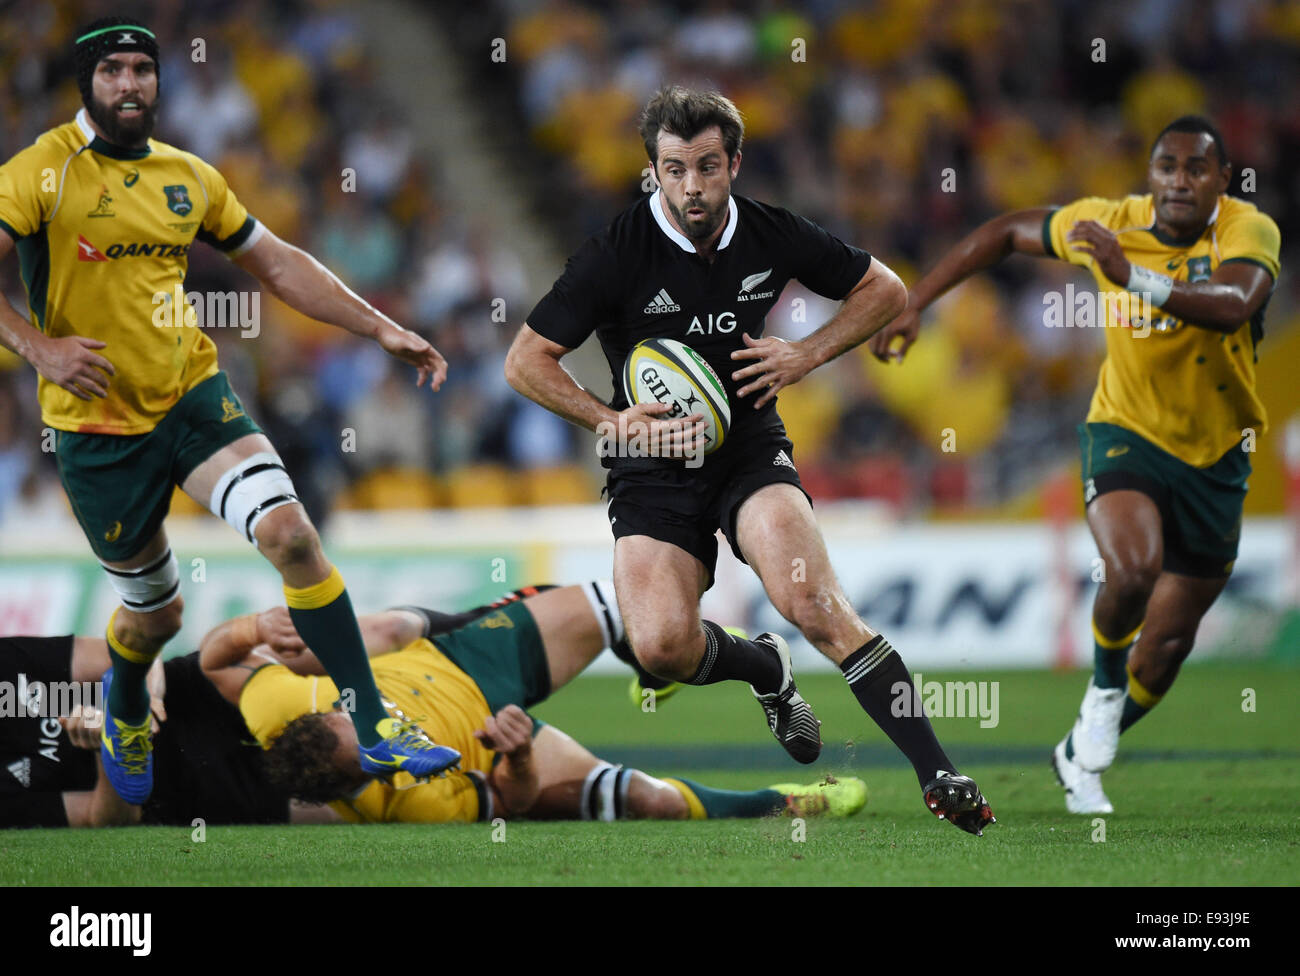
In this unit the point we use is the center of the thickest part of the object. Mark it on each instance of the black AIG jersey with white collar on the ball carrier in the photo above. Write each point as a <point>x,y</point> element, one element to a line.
<point>642,279</point>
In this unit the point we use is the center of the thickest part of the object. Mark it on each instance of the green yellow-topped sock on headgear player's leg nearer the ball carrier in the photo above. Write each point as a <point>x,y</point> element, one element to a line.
<point>331,630</point>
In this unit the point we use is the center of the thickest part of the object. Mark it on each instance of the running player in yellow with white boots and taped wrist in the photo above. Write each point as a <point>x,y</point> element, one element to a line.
<point>1164,456</point>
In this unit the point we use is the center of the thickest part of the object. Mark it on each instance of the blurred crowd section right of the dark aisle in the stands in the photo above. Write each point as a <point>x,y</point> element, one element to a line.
<point>902,125</point>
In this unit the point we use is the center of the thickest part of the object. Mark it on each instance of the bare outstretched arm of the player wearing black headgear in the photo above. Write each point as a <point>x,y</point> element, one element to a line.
<point>302,283</point>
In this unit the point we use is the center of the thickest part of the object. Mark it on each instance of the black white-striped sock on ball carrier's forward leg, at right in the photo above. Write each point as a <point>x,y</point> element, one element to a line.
<point>874,674</point>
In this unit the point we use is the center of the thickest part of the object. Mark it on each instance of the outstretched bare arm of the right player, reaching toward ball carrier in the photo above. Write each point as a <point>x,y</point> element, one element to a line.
<point>1012,233</point>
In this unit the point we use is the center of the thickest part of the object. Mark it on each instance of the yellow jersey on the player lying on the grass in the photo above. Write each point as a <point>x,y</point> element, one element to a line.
<point>419,683</point>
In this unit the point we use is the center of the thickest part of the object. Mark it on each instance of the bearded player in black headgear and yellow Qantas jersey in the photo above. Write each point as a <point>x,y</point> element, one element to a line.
<point>103,219</point>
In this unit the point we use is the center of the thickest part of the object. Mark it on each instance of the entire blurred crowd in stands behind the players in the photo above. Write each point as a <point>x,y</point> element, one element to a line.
<point>899,125</point>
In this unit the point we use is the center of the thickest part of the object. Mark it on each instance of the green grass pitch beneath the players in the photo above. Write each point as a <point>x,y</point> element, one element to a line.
<point>1204,791</point>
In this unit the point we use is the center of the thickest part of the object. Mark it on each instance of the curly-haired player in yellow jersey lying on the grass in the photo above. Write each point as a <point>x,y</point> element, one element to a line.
<point>469,688</point>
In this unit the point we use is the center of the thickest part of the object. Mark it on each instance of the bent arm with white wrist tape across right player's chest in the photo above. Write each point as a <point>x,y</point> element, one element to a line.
<point>1234,293</point>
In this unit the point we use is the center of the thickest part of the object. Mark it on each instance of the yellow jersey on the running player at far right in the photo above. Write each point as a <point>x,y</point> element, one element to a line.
<point>1186,389</point>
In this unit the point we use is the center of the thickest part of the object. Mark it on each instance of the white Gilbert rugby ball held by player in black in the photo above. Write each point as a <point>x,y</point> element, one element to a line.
<point>668,371</point>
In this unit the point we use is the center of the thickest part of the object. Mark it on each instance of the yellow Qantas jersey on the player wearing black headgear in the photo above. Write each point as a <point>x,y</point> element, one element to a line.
<point>103,235</point>
